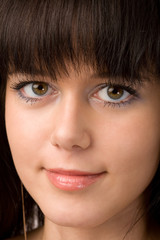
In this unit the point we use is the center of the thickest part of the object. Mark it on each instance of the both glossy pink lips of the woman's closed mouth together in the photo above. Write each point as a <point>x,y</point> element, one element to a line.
<point>71,180</point>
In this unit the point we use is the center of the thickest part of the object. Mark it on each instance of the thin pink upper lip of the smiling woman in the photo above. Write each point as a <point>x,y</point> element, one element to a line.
<point>73,172</point>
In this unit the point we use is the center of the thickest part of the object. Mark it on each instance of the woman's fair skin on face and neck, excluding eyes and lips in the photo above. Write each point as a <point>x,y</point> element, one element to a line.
<point>72,129</point>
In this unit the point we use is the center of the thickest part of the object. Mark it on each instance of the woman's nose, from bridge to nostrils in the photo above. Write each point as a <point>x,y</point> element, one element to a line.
<point>70,131</point>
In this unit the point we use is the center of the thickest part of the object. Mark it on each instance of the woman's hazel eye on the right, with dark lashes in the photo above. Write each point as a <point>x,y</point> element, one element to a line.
<point>114,94</point>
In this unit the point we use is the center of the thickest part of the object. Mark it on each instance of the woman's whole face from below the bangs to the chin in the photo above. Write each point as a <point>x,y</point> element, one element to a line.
<point>84,148</point>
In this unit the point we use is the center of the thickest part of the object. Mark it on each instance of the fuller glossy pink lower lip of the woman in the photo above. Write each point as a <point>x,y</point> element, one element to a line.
<point>72,182</point>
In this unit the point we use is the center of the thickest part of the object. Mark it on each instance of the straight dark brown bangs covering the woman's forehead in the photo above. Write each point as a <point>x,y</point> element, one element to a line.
<point>46,37</point>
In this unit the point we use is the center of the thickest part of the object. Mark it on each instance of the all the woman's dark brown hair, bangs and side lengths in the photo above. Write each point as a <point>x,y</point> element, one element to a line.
<point>120,37</point>
